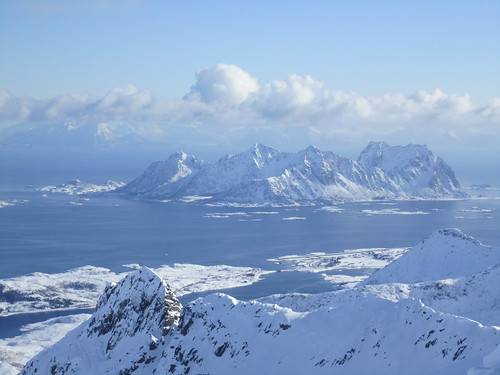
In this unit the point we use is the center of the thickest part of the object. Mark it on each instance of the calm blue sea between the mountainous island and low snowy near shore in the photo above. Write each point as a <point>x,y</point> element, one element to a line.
<point>53,235</point>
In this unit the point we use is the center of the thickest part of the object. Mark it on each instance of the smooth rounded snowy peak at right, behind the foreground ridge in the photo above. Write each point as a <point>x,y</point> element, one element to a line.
<point>445,254</point>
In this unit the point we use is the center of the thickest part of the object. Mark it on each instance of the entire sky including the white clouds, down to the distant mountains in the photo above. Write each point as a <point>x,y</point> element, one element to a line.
<point>226,74</point>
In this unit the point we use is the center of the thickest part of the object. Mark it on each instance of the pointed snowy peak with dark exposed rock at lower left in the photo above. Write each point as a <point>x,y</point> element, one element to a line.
<point>122,336</point>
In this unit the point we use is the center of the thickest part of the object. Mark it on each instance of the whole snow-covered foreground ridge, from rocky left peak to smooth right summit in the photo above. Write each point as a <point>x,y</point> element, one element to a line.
<point>389,325</point>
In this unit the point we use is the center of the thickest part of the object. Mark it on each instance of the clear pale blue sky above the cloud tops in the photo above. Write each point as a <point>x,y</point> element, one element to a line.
<point>372,47</point>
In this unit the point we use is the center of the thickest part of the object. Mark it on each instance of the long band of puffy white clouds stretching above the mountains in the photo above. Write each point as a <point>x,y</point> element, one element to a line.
<point>227,103</point>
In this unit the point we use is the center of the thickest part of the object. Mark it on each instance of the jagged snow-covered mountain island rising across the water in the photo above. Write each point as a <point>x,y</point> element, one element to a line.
<point>263,175</point>
